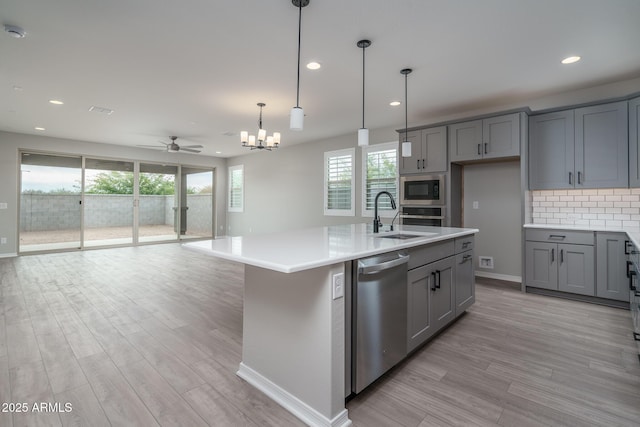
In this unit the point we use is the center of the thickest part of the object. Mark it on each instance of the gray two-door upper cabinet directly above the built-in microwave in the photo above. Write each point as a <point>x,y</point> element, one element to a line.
<point>428,151</point>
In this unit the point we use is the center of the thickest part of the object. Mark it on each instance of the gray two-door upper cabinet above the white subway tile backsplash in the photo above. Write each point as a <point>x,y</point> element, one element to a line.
<point>580,148</point>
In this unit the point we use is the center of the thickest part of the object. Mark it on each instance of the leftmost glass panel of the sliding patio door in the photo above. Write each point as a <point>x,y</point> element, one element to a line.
<point>50,202</point>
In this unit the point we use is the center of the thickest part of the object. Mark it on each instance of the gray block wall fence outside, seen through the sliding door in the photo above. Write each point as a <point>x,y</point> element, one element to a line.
<point>47,212</point>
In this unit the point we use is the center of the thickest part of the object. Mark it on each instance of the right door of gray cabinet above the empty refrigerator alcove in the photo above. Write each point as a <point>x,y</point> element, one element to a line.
<point>501,136</point>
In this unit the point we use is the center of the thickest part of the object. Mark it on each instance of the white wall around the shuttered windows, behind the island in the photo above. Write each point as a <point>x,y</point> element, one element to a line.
<point>284,188</point>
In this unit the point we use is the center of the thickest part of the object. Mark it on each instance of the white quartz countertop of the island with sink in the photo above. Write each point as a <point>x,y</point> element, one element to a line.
<point>298,250</point>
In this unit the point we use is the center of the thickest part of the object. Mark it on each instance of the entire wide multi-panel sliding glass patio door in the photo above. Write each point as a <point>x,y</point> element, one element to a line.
<point>75,202</point>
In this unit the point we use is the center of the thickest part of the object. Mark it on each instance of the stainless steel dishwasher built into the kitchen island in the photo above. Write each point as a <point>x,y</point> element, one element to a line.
<point>379,317</point>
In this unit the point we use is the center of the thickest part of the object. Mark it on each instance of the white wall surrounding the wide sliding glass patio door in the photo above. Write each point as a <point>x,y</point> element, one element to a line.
<point>12,143</point>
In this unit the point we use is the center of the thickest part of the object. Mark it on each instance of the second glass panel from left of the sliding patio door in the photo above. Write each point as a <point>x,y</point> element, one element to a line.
<point>108,202</point>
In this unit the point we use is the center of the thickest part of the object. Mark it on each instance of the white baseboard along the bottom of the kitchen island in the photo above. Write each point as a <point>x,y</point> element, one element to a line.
<point>291,403</point>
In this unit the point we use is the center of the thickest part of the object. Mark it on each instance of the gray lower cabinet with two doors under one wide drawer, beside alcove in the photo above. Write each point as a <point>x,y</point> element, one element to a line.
<point>567,267</point>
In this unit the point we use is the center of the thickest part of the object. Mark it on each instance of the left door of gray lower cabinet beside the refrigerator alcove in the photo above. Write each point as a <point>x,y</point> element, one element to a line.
<point>541,265</point>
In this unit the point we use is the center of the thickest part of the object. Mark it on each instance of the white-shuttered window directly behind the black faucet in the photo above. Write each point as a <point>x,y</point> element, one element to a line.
<point>380,173</point>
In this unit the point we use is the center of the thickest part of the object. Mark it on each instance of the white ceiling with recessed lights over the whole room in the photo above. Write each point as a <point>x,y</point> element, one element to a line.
<point>197,68</point>
